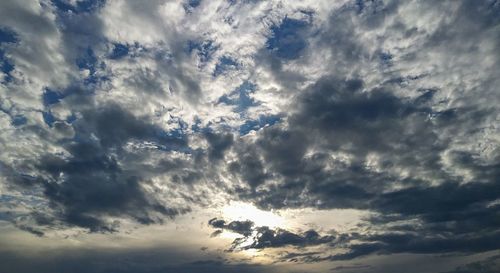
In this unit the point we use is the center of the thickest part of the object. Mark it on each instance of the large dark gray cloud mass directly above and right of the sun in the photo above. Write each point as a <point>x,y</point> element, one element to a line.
<point>337,116</point>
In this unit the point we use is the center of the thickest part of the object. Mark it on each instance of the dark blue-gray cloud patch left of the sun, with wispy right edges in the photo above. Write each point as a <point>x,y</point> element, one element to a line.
<point>90,183</point>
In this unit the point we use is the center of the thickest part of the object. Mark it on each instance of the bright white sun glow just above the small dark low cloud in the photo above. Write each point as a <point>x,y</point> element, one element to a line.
<point>244,211</point>
